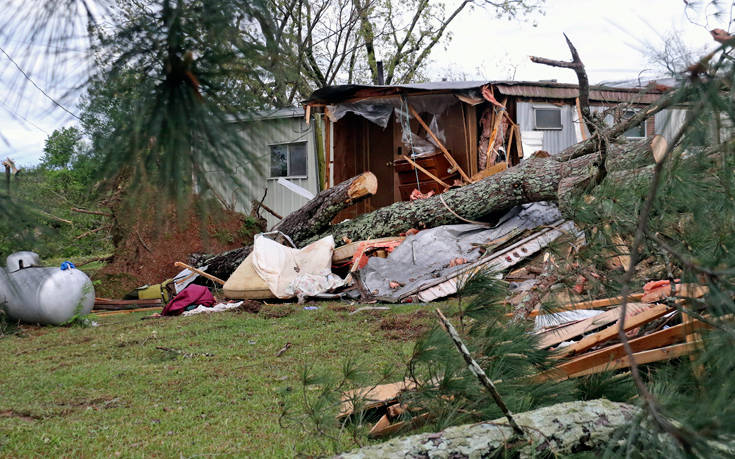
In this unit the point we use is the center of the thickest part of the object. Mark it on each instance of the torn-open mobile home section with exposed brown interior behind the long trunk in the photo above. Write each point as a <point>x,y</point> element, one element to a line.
<point>461,131</point>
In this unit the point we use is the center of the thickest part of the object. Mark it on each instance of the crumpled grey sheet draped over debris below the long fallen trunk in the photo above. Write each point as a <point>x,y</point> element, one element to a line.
<point>423,258</point>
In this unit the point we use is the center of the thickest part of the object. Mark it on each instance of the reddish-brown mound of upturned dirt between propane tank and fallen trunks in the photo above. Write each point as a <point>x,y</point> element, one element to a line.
<point>148,245</point>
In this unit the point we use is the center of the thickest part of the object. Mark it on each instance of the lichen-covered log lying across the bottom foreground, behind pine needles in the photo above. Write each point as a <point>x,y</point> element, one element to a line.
<point>559,430</point>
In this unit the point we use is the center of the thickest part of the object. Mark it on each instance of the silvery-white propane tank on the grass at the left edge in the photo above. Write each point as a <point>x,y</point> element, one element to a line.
<point>34,294</point>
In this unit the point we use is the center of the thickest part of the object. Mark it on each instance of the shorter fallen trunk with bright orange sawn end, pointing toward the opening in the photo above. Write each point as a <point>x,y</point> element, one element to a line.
<point>301,225</point>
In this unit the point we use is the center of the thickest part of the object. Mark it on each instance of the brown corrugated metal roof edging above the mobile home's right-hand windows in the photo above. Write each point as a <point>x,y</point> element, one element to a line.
<point>571,92</point>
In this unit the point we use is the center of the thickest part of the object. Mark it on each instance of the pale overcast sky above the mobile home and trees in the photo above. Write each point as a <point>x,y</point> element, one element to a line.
<point>611,37</point>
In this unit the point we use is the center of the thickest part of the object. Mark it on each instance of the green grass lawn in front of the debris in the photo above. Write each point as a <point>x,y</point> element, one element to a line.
<point>107,391</point>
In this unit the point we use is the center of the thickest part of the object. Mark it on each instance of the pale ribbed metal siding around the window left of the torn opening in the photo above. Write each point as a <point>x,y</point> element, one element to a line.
<point>249,183</point>
